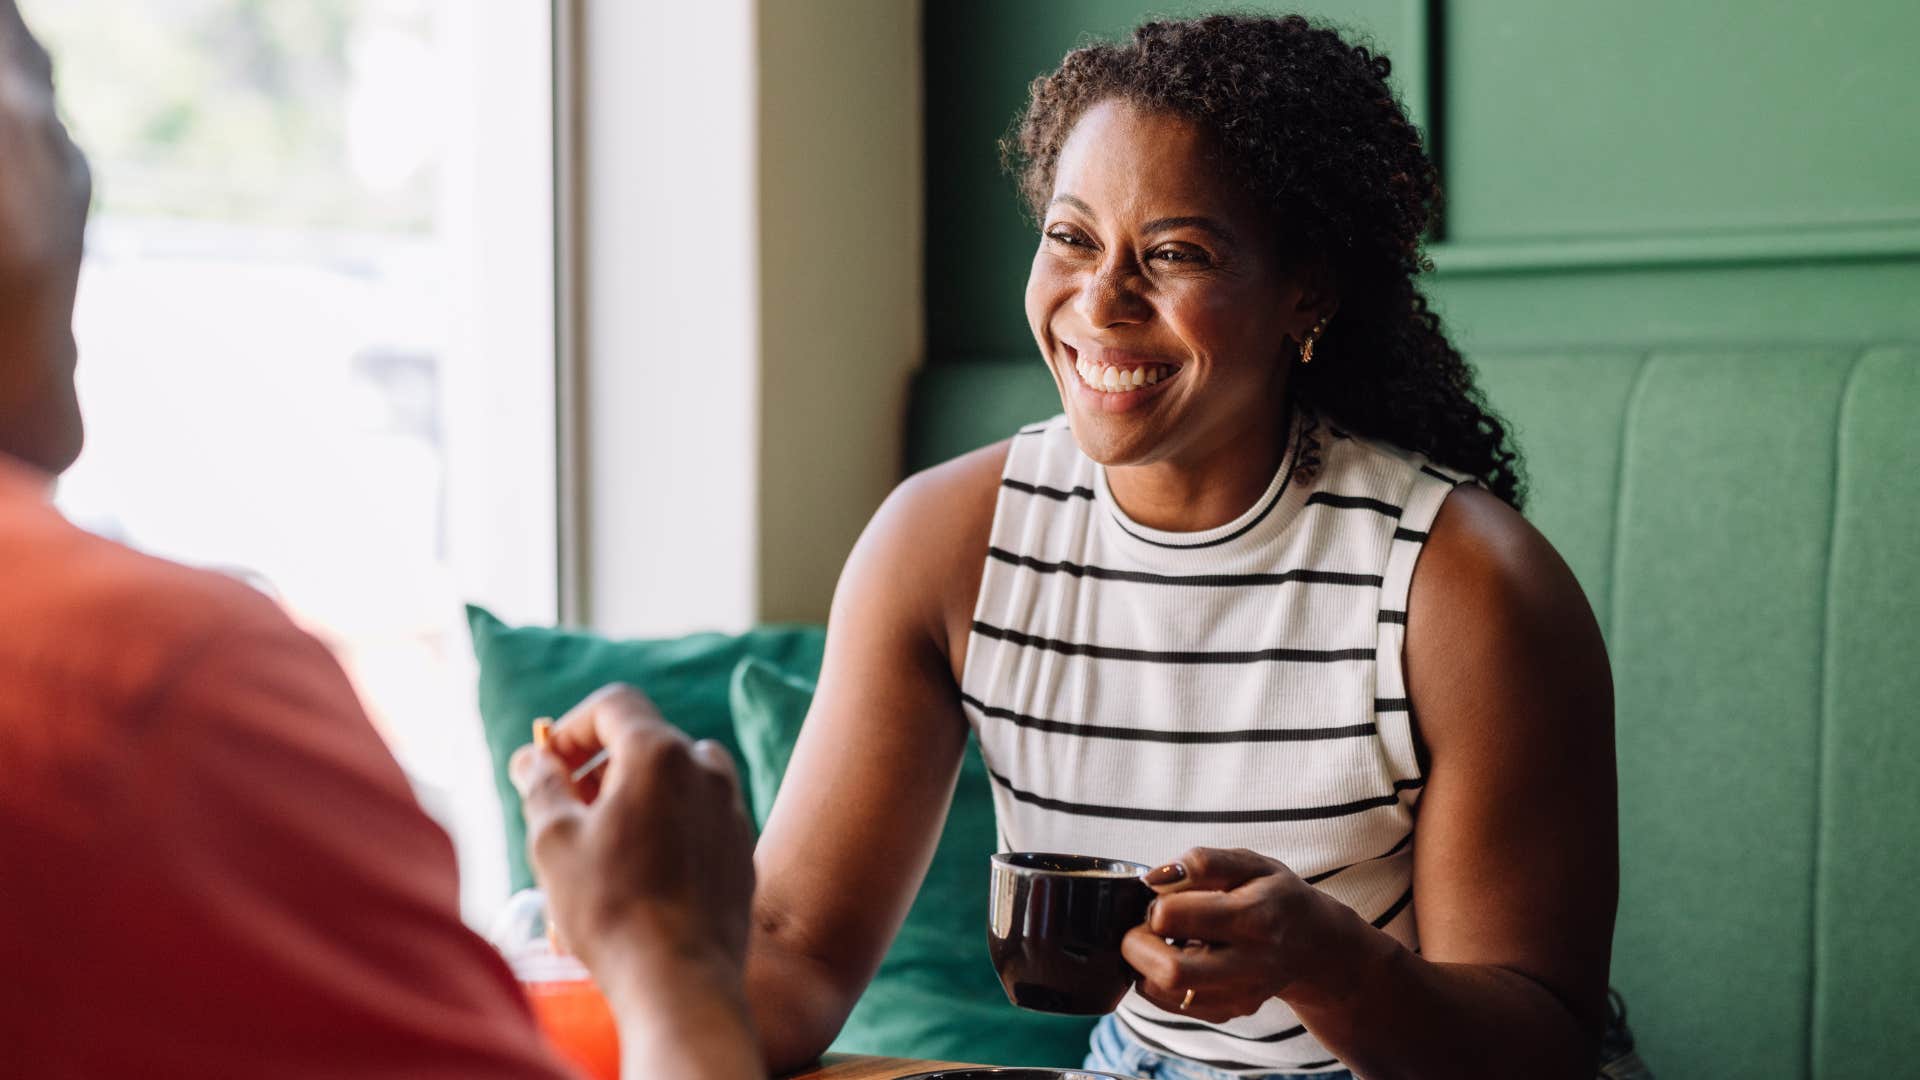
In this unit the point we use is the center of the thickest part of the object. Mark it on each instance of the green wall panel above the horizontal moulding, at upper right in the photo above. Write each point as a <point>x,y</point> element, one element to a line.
<point>1648,116</point>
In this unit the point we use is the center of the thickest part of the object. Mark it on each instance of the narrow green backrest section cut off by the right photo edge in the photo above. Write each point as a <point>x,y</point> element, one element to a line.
<point>1867,946</point>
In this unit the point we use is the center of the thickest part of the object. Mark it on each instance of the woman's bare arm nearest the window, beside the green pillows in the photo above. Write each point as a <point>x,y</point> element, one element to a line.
<point>867,795</point>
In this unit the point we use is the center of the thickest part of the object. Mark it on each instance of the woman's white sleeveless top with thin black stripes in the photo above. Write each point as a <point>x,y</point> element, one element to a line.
<point>1140,693</point>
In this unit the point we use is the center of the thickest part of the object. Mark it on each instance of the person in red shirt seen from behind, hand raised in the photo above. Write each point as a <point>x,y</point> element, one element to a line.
<point>210,866</point>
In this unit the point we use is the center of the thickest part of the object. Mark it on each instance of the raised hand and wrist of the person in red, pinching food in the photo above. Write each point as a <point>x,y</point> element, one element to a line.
<point>648,868</point>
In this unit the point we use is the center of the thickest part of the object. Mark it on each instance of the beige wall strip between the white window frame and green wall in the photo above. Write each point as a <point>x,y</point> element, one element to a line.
<point>840,176</point>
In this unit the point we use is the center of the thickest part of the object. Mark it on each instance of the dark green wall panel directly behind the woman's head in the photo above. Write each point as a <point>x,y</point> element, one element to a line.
<point>982,55</point>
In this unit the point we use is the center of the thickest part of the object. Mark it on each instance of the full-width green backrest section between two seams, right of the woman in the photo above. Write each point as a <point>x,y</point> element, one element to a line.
<point>1717,626</point>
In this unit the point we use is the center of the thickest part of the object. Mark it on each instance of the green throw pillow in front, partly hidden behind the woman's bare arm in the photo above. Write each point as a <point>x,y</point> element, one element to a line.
<point>936,994</point>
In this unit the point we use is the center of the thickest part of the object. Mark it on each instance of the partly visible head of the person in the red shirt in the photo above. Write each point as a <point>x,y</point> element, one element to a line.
<point>43,216</point>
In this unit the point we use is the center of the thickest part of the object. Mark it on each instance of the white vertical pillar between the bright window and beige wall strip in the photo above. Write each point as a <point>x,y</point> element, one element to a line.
<point>665,307</point>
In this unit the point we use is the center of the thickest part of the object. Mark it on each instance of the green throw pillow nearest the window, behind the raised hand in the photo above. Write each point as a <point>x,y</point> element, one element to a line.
<point>539,672</point>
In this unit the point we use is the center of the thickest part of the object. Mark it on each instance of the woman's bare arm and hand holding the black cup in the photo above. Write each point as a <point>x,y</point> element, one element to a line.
<point>1516,862</point>
